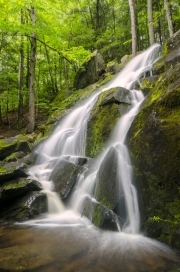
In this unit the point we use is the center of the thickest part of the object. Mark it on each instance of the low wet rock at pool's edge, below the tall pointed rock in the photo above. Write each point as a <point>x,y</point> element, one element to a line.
<point>100,215</point>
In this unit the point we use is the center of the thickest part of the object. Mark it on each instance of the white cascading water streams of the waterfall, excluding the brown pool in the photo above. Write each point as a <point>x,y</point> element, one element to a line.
<point>69,139</point>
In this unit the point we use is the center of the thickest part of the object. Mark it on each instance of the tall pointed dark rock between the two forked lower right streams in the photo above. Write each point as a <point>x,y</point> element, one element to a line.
<point>108,191</point>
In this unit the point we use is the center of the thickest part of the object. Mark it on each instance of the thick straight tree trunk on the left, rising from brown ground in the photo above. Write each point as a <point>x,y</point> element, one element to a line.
<point>31,116</point>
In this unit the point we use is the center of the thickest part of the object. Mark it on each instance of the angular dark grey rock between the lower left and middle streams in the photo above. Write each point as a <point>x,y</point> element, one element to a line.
<point>64,176</point>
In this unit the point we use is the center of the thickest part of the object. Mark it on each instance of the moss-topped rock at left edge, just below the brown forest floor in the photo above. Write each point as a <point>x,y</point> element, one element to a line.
<point>11,145</point>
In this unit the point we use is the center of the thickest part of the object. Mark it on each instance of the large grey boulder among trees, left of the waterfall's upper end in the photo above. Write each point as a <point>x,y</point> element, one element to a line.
<point>90,72</point>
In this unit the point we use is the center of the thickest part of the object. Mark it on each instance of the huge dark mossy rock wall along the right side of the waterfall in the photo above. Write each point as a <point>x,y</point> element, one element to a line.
<point>153,140</point>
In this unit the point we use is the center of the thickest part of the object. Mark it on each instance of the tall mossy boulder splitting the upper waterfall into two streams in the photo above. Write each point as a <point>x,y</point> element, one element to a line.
<point>102,120</point>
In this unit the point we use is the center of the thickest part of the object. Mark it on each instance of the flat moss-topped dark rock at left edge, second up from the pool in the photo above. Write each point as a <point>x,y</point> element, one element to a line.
<point>13,190</point>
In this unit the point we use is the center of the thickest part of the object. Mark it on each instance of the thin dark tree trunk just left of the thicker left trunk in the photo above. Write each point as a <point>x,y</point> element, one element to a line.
<point>21,77</point>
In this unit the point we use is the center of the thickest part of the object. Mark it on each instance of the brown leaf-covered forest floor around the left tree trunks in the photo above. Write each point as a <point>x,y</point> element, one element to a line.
<point>9,127</point>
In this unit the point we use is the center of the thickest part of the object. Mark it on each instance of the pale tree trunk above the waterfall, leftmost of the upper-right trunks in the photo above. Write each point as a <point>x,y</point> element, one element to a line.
<point>133,26</point>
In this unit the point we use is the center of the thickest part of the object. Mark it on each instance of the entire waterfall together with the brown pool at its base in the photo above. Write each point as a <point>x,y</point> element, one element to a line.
<point>64,240</point>
